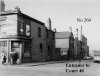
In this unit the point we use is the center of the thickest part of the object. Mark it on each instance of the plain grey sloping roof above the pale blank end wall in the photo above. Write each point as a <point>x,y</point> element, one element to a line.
<point>62,35</point>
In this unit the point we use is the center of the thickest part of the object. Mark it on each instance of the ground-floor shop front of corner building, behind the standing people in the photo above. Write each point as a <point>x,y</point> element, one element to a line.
<point>21,47</point>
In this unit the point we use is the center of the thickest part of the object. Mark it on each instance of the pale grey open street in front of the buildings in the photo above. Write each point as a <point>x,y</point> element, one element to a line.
<point>56,69</point>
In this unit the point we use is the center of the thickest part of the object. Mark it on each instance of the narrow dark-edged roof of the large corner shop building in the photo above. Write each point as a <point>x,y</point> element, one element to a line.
<point>10,12</point>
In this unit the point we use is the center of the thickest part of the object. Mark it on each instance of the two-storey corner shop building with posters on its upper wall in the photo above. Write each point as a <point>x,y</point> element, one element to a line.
<point>25,35</point>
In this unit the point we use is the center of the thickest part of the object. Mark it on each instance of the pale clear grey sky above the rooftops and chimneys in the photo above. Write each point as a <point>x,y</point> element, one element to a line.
<point>64,14</point>
